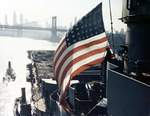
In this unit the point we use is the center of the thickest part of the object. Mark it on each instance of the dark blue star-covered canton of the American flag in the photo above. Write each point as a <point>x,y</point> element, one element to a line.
<point>88,26</point>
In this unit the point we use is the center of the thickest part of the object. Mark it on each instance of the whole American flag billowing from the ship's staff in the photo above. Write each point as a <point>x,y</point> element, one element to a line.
<point>82,47</point>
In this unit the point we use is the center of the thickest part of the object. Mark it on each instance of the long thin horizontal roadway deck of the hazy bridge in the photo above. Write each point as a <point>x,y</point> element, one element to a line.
<point>20,27</point>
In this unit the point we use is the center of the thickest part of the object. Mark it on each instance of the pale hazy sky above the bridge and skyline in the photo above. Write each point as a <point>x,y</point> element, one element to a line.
<point>65,10</point>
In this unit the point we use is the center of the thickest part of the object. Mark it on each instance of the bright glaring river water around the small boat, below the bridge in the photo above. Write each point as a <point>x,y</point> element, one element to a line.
<point>15,50</point>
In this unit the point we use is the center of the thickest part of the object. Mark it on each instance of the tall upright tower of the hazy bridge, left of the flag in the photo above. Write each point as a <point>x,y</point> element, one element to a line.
<point>54,36</point>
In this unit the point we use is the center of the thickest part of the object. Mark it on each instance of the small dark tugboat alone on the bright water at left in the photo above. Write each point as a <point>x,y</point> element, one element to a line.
<point>10,74</point>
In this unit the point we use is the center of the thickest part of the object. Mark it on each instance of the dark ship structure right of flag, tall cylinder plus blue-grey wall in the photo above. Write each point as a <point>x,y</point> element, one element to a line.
<point>128,89</point>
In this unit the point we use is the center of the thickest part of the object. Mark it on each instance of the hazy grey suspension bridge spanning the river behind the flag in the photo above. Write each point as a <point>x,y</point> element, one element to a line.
<point>52,33</point>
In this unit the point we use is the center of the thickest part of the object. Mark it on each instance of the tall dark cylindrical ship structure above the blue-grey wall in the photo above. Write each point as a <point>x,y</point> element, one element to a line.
<point>136,14</point>
